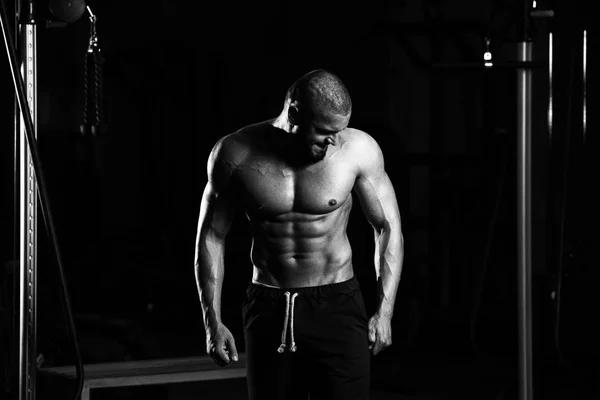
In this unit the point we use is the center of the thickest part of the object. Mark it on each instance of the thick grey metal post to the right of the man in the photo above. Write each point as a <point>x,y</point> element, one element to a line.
<point>524,221</point>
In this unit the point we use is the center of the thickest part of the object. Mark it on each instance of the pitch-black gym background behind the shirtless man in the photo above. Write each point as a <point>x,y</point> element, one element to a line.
<point>179,75</point>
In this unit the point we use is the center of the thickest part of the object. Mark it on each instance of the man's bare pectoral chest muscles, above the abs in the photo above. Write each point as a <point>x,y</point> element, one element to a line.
<point>277,189</point>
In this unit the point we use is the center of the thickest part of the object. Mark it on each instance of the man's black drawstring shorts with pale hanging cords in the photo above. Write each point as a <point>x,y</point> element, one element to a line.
<point>321,347</point>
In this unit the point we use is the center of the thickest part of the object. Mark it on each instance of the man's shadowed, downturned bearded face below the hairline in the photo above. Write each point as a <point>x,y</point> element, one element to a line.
<point>318,129</point>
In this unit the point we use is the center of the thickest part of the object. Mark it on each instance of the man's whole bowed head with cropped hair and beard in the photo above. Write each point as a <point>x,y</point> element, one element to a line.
<point>319,107</point>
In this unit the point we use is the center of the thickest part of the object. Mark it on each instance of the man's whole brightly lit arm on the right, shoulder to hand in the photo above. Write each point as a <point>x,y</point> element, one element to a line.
<point>378,200</point>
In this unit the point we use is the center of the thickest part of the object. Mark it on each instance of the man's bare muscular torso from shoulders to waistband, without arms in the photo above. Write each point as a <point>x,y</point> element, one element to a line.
<point>298,214</point>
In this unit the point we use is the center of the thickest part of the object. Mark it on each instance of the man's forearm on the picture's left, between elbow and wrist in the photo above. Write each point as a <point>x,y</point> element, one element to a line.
<point>209,271</point>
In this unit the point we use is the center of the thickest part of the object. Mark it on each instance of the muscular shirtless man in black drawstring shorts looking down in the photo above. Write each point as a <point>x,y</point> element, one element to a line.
<point>305,323</point>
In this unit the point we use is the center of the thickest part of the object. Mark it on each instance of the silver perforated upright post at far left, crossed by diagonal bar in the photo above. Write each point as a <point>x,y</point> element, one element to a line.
<point>28,223</point>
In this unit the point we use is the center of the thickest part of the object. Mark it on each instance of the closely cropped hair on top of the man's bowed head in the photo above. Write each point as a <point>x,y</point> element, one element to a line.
<point>323,90</point>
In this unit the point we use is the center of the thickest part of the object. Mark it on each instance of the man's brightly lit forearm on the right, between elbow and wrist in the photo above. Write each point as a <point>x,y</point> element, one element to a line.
<point>389,257</point>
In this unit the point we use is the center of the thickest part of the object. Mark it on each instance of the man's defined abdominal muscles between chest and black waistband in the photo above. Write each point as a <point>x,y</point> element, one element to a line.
<point>299,250</point>
